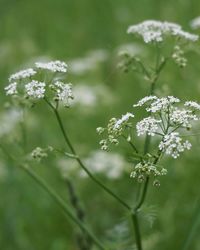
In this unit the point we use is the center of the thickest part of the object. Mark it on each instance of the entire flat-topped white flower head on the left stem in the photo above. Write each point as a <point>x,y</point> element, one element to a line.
<point>35,89</point>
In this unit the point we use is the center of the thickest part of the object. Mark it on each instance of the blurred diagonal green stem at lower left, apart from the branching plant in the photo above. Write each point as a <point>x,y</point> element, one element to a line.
<point>63,205</point>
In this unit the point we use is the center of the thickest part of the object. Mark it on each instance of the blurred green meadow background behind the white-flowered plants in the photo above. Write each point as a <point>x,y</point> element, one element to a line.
<point>67,30</point>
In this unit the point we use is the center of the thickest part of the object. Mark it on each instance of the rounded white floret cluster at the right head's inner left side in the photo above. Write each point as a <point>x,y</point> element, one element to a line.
<point>148,125</point>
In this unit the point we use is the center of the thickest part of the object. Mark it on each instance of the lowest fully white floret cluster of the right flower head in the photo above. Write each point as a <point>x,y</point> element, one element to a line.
<point>172,144</point>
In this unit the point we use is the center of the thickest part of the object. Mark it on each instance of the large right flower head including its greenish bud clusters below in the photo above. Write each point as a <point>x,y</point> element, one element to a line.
<point>166,121</point>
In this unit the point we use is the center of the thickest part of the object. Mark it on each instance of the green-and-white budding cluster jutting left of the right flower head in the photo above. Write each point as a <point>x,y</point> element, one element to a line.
<point>114,130</point>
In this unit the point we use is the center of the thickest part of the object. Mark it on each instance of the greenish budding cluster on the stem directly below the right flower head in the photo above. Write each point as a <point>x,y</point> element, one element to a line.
<point>146,168</point>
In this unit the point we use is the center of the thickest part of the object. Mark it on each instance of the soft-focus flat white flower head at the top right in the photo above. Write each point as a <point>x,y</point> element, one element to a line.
<point>155,31</point>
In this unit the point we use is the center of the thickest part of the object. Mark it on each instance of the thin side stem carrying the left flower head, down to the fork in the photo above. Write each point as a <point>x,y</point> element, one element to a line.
<point>68,142</point>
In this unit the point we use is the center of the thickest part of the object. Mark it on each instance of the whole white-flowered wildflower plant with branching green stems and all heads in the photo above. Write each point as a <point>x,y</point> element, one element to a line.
<point>166,122</point>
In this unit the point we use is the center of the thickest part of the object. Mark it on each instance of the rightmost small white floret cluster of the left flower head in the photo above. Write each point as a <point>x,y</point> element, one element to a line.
<point>63,91</point>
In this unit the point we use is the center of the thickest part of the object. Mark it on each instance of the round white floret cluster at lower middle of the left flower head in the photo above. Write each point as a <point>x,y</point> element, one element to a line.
<point>35,89</point>
